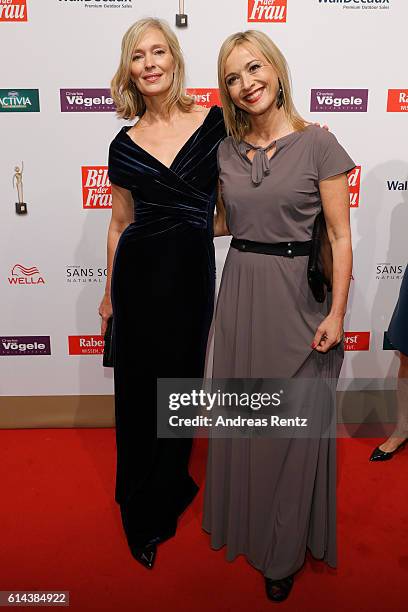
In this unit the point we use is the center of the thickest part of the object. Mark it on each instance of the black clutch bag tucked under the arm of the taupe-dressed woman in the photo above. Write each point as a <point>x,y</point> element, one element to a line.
<point>320,265</point>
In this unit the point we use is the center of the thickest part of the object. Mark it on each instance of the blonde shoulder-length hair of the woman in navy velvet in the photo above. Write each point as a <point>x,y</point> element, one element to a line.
<point>128,99</point>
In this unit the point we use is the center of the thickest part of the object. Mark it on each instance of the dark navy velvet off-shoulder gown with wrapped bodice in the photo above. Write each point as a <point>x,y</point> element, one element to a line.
<point>163,284</point>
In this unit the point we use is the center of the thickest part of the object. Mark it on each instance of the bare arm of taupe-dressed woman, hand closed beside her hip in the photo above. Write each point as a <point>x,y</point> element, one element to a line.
<point>334,192</point>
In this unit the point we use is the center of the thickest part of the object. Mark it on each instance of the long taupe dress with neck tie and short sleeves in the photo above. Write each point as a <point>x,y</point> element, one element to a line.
<point>270,499</point>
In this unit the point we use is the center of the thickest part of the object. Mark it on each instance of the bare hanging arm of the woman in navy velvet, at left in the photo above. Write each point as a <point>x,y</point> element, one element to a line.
<point>122,215</point>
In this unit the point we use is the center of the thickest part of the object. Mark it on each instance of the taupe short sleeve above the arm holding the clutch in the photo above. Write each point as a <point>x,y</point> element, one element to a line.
<point>331,158</point>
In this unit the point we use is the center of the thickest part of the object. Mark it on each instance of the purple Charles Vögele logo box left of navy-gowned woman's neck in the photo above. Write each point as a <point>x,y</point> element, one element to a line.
<point>86,101</point>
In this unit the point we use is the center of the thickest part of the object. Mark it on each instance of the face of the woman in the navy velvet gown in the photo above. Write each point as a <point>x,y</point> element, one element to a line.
<point>152,64</point>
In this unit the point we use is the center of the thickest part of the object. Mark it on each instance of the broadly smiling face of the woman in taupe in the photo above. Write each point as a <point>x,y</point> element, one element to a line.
<point>251,81</point>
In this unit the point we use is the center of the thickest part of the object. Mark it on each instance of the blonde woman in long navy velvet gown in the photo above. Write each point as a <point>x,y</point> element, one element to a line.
<point>161,283</point>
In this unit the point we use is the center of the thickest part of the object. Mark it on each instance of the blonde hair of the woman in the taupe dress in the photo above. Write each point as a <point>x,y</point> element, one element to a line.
<point>236,119</point>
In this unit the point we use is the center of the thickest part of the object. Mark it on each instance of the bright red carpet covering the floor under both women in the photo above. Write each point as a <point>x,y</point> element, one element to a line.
<point>61,530</point>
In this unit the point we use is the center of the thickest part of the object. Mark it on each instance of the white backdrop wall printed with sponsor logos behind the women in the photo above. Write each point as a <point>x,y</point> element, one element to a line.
<point>74,45</point>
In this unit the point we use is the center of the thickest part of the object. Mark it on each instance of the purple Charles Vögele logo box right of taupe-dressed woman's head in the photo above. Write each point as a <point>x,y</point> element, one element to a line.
<point>339,100</point>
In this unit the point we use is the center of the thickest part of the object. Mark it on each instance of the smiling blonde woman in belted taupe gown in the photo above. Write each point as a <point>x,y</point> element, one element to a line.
<point>270,499</point>
